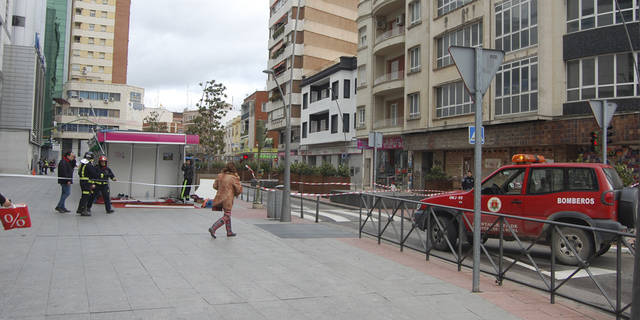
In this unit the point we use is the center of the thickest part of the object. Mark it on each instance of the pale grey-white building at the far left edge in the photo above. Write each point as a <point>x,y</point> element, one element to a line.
<point>22,85</point>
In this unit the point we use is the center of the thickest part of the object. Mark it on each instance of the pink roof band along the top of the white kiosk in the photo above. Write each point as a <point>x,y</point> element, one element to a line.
<point>147,137</point>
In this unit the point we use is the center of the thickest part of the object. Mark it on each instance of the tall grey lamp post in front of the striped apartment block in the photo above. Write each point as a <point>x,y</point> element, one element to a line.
<point>286,200</point>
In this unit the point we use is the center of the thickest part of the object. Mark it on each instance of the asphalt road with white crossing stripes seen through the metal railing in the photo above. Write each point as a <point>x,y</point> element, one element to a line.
<point>581,285</point>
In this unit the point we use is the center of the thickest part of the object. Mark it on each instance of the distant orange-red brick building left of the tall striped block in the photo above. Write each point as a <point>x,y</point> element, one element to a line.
<point>252,113</point>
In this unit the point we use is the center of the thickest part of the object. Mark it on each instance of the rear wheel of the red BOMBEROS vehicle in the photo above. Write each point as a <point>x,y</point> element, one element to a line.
<point>579,239</point>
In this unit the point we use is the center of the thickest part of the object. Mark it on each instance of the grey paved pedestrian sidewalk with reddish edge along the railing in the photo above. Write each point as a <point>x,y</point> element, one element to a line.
<point>162,264</point>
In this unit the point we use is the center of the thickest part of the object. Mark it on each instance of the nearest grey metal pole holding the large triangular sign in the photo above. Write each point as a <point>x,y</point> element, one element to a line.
<point>477,180</point>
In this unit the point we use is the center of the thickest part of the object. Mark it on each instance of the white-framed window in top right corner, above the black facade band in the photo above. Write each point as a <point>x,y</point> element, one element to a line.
<point>588,14</point>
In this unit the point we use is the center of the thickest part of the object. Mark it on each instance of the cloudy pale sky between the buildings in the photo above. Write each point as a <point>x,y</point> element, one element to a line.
<point>173,47</point>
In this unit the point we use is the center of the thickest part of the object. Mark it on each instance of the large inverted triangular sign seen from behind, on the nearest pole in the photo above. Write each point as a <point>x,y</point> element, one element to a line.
<point>465,60</point>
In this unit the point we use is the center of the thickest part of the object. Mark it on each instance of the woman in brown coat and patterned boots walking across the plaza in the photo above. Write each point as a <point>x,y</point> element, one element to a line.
<point>229,187</point>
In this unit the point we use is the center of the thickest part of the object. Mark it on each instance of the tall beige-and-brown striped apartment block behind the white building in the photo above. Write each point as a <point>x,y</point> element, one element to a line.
<point>324,31</point>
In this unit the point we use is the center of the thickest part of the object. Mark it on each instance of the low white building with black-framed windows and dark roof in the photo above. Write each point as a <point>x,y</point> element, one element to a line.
<point>328,116</point>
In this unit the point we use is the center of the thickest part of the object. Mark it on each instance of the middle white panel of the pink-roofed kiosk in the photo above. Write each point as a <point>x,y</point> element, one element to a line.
<point>144,163</point>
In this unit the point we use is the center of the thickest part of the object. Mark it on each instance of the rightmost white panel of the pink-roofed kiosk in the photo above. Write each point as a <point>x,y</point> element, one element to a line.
<point>168,171</point>
